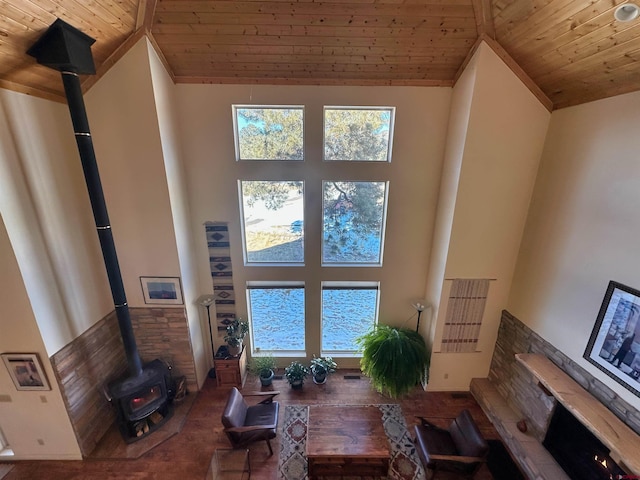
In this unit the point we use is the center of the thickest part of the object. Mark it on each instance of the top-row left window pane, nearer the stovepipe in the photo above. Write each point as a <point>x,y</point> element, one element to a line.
<point>269,133</point>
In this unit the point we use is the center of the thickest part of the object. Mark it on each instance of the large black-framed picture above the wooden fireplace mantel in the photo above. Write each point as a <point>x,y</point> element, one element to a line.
<point>614,345</point>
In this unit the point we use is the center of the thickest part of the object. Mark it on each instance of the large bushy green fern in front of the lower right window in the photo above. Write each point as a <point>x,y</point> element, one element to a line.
<point>395,359</point>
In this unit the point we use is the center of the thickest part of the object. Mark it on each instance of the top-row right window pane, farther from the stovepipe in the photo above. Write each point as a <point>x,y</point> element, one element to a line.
<point>358,134</point>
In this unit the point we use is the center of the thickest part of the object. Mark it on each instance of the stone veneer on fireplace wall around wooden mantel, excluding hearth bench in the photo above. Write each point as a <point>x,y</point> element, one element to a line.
<point>521,390</point>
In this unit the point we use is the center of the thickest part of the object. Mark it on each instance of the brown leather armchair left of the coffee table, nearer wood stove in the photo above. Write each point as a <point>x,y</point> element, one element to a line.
<point>246,424</point>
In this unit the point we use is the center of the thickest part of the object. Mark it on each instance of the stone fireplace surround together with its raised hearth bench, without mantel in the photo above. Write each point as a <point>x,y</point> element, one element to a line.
<point>511,393</point>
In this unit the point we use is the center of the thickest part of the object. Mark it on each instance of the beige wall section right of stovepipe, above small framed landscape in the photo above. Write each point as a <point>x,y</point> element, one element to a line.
<point>124,127</point>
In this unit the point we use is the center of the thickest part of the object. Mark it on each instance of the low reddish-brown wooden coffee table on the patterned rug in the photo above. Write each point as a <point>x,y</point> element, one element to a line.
<point>346,440</point>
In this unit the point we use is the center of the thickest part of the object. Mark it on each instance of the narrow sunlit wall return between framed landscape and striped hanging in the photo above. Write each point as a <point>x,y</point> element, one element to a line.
<point>164,93</point>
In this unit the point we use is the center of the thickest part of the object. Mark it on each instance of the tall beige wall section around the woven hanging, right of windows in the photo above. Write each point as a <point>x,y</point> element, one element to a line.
<point>502,147</point>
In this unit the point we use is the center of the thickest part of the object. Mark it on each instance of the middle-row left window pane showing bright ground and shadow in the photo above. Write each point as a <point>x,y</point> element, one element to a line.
<point>273,221</point>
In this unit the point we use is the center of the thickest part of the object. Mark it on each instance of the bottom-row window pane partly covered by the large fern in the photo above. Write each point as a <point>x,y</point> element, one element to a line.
<point>349,310</point>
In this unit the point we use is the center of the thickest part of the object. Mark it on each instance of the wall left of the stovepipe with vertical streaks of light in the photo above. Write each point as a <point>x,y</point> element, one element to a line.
<point>45,205</point>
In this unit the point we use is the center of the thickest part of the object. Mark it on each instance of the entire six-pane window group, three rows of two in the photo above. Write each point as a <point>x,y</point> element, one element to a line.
<point>340,183</point>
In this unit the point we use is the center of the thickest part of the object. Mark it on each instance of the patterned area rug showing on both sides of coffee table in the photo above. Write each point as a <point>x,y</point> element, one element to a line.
<point>292,464</point>
